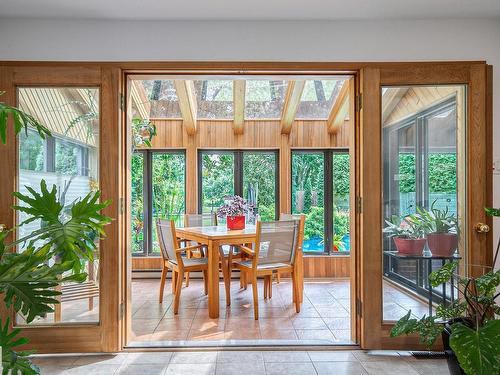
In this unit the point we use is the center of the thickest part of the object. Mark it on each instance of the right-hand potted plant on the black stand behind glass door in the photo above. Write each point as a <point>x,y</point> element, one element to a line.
<point>441,228</point>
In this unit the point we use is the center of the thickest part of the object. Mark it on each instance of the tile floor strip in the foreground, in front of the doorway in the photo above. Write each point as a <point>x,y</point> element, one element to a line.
<point>244,363</point>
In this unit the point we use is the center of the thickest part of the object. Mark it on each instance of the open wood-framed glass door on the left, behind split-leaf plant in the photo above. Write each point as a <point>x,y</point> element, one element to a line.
<point>77,109</point>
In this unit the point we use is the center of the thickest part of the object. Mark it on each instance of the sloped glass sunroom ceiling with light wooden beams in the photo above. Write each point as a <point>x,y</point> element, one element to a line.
<point>240,100</point>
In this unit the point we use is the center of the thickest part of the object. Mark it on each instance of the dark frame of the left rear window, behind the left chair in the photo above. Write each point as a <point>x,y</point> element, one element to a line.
<point>147,198</point>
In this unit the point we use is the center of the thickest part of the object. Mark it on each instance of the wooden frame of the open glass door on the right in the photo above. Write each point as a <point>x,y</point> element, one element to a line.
<point>477,77</point>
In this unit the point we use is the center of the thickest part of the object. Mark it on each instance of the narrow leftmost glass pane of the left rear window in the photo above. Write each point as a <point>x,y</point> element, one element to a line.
<point>137,201</point>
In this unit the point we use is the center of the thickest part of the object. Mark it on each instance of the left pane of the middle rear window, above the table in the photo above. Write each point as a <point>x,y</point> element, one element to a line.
<point>217,179</point>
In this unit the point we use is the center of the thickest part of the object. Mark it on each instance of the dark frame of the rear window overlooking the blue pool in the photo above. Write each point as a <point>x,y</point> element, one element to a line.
<point>328,194</point>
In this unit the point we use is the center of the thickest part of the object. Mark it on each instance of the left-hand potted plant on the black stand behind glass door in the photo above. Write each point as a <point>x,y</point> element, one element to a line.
<point>407,234</point>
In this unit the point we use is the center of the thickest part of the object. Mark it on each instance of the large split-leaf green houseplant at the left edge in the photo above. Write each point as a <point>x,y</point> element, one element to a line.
<point>51,255</point>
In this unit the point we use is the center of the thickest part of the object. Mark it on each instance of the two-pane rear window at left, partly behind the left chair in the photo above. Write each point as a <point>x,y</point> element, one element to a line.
<point>158,192</point>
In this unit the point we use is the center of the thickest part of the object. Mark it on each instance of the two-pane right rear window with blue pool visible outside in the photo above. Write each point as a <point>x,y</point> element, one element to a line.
<point>320,190</point>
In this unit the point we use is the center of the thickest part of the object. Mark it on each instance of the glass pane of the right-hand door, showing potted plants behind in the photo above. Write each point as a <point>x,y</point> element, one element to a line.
<point>421,150</point>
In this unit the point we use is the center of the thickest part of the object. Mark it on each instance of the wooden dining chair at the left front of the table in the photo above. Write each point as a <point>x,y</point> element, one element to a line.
<point>171,252</point>
